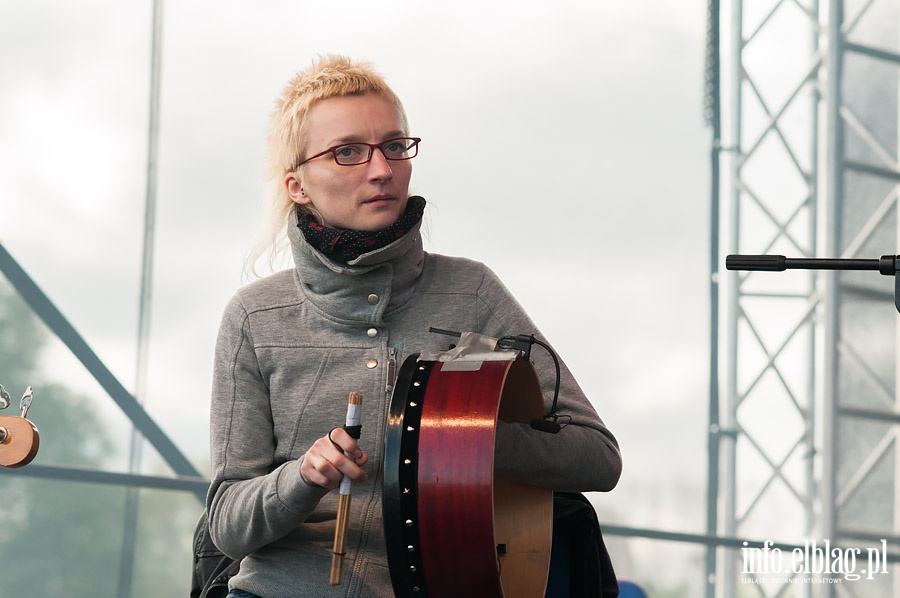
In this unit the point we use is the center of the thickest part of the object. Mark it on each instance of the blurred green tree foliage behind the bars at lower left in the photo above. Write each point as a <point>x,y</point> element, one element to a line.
<point>64,538</point>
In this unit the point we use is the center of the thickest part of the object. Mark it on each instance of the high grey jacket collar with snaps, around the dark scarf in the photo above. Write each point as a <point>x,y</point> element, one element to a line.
<point>345,292</point>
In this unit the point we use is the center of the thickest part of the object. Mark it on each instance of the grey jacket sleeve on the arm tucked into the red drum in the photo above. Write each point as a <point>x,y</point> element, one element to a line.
<point>584,455</point>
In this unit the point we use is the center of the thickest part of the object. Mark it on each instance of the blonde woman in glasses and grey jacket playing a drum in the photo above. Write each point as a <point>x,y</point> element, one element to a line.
<point>361,297</point>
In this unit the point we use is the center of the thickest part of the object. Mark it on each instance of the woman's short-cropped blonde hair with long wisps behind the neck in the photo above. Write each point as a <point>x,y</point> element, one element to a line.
<point>328,76</point>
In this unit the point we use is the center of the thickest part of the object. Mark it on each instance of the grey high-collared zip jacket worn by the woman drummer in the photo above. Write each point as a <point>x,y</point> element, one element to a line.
<point>290,349</point>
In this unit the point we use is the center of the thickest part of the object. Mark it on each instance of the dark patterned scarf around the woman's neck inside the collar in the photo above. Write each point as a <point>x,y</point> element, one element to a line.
<point>346,245</point>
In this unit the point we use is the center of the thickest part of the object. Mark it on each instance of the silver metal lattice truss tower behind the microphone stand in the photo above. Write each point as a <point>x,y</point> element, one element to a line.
<point>804,434</point>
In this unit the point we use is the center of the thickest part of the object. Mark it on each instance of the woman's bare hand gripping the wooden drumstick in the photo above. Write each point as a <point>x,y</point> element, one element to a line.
<point>324,464</point>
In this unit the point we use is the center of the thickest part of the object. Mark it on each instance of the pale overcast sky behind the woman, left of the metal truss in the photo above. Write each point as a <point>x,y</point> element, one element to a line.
<point>563,144</point>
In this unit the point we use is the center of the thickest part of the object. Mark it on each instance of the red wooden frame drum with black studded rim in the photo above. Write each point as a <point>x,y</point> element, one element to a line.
<point>452,527</point>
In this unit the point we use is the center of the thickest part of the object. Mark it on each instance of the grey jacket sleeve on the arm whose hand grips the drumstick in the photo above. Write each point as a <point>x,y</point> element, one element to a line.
<point>252,501</point>
